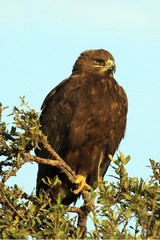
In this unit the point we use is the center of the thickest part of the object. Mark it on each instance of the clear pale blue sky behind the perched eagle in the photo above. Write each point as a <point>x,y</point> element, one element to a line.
<point>41,39</point>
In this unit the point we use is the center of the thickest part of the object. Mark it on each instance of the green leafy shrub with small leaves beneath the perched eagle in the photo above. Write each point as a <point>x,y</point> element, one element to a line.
<point>127,208</point>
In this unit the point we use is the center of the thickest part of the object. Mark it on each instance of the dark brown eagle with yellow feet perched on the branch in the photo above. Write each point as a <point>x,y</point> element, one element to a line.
<point>84,118</point>
